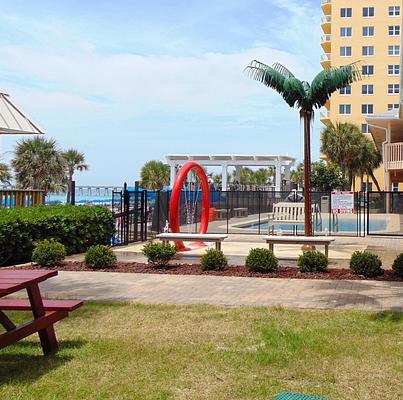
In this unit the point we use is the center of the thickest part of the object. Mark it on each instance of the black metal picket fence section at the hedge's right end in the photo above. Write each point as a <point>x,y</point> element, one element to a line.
<point>130,212</point>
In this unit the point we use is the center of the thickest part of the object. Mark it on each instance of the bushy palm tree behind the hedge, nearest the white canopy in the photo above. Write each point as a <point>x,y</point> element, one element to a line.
<point>38,164</point>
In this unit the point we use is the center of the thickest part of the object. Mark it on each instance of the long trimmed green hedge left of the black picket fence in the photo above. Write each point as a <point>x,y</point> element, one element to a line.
<point>76,227</point>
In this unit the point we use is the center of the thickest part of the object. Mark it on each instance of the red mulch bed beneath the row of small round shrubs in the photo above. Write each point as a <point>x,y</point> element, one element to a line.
<point>231,270</point>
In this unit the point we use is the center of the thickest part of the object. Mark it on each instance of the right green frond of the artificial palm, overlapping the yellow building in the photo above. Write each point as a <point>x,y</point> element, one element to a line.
<point>331,79</point>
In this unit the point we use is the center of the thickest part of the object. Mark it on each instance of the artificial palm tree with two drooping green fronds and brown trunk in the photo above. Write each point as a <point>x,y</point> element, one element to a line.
<point>306,97</point>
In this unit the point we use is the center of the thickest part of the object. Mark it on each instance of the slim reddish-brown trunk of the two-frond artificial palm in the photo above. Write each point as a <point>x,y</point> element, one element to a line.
<point>307,117</point>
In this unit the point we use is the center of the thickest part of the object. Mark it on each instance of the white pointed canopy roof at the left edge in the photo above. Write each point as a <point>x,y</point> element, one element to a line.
<point>13,121</point>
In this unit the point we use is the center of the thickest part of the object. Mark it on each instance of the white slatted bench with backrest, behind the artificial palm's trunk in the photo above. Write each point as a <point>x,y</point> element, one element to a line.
<point>288,213</point>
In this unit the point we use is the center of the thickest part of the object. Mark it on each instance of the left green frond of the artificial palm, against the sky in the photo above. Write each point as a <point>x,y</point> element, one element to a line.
<point>283,82</point>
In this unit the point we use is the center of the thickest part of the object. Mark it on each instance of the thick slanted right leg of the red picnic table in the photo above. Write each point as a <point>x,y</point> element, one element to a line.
<point>47,336</point>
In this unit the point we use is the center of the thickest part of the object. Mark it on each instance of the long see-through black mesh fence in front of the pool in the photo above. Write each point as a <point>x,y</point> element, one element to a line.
<point>246,212</point>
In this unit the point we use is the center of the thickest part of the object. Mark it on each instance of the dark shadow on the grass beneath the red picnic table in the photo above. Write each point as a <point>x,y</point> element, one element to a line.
<point>21,365</point>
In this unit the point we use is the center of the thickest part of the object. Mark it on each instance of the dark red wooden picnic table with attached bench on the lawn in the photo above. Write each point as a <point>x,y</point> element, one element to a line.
<point>45,312</point>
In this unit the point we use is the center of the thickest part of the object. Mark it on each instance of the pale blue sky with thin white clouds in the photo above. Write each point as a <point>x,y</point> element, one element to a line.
<point>127,81</point>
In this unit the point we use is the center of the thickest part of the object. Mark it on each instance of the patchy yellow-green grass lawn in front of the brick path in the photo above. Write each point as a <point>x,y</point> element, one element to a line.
<point>131,351</point>
